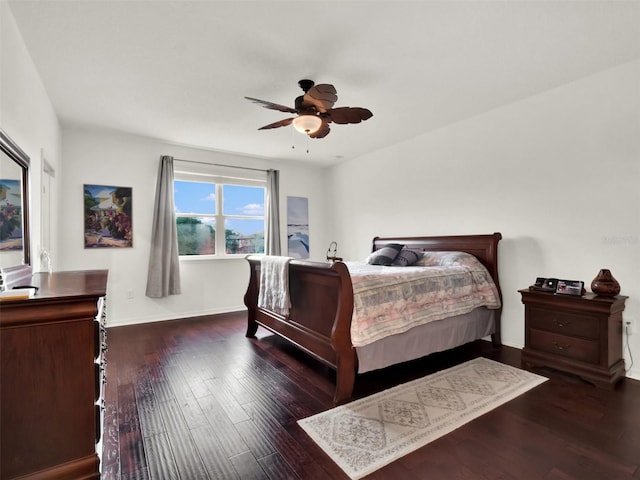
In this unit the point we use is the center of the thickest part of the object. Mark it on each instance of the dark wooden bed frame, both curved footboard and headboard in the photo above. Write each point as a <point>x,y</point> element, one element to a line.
<point>321,294</point>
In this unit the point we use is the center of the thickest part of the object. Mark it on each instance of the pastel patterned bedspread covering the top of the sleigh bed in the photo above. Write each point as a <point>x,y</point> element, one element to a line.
<point>391,300</point>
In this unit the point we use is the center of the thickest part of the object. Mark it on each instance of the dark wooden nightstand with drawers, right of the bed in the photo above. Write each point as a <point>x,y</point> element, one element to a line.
<point>579,335</point>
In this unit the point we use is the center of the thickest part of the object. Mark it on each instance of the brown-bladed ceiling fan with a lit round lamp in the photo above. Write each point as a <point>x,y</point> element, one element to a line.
<point>315,110</point>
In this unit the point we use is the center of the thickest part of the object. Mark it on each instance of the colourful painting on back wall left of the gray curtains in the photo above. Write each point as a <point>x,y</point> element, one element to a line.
<point>107,217</point>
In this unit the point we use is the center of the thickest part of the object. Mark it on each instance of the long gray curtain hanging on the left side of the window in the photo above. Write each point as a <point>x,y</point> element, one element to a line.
<point>163,278</point>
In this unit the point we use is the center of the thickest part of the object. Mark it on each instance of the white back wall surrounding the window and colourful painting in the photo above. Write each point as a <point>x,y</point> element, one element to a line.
<point>213,286</point>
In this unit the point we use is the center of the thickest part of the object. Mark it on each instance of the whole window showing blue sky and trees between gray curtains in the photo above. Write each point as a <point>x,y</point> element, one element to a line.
<point>207,205</point>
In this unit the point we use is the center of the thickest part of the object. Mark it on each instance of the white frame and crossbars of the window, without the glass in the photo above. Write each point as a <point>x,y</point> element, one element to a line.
<point>220,181</point>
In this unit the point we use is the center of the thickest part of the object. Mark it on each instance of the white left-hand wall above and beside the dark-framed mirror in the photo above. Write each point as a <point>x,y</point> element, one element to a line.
<point>28,117</point>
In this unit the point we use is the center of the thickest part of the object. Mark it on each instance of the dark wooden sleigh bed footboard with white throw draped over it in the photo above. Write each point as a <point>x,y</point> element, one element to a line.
<point>319,320</point>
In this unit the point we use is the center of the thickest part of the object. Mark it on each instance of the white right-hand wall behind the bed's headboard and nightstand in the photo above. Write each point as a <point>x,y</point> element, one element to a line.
<point>557,174</point>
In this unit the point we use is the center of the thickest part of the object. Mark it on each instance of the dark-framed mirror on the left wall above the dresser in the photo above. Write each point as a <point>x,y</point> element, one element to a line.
<point>14,204</point>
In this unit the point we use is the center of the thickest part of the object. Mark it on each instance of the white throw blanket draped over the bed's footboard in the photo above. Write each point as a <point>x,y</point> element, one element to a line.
<point>274,284</point>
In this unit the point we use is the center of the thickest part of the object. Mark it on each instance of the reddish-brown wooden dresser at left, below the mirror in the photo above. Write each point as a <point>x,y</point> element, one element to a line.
<point>52,378</point>
